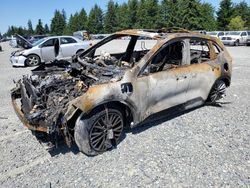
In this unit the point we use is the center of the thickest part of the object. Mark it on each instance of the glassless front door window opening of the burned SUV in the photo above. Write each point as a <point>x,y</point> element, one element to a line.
<point>170,56</point>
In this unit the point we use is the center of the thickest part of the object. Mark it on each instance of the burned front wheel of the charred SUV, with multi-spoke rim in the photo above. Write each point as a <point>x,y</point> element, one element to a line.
<point>98,133</point>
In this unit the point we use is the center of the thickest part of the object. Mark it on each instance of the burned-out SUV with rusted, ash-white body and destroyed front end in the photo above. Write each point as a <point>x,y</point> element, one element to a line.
<point>120,81</point>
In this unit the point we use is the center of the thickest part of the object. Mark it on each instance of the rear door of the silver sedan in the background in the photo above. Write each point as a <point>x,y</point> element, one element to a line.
<point>68,46</point>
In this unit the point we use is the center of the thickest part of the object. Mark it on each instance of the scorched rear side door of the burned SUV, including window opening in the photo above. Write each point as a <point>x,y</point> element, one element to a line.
<point>202,69</point>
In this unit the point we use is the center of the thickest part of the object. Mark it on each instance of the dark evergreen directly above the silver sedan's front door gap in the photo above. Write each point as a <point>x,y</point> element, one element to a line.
<point>58,23</point>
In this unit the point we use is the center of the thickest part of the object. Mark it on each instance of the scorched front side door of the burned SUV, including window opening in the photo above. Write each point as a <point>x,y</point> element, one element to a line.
<point>167,78</point>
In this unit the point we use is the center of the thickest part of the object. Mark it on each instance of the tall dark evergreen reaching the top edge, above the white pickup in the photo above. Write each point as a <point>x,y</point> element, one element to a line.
<point>224,14</point>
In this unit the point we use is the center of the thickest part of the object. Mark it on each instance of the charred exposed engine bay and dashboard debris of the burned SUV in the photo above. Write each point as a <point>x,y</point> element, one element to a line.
<point>46,93</point>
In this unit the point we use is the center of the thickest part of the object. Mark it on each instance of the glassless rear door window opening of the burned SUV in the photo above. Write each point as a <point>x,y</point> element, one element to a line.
<point>199,51</point>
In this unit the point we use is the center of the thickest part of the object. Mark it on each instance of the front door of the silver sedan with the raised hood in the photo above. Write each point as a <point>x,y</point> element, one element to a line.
<point>47,49</point>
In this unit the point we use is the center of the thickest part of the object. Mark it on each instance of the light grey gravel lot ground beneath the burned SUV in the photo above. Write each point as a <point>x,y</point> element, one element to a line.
<point>208,146</point>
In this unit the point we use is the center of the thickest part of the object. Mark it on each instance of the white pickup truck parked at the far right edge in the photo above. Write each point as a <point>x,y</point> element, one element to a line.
<point>236,38</point>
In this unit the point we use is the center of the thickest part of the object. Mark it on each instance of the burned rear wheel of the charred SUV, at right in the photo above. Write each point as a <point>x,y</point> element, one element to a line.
<point>217,92</point>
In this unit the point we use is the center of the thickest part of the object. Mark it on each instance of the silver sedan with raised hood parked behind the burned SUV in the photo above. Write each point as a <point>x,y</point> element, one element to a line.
<point>43,50</point>
